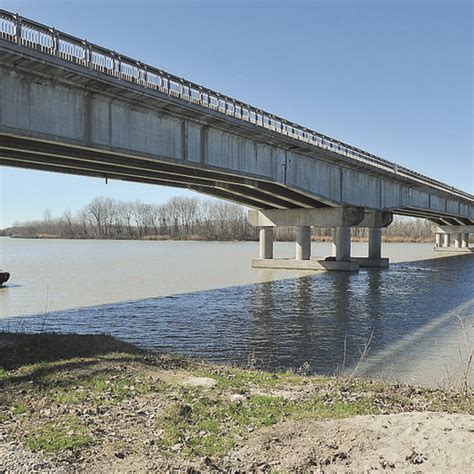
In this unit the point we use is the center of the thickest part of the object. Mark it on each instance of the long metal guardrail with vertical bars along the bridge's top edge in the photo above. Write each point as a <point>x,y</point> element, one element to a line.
<point>31,34</point>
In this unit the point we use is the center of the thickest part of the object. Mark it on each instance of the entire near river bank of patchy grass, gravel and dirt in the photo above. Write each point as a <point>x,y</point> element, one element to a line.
<point>95,403</point>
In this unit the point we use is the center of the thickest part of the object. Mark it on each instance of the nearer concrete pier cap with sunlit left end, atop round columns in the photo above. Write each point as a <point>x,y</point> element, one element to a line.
<point>323,217</point>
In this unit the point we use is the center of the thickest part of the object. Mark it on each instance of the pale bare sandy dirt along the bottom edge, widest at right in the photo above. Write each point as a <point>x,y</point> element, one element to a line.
<point>405,442</point>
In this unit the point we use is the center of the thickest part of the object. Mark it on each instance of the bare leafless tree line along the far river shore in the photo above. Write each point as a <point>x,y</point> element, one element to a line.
<point>180,218</point>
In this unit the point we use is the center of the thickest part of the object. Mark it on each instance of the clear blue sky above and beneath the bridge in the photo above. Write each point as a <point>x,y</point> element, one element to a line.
<point>393,77</point>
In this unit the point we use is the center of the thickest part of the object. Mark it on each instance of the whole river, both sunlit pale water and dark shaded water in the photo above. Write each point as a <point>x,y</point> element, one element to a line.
<point>203,299</point>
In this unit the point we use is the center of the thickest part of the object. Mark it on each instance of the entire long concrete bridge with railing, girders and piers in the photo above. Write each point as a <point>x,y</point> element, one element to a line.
<point>71,106</point>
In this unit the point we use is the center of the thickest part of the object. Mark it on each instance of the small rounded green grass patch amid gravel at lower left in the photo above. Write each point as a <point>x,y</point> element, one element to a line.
<point>64,433</point>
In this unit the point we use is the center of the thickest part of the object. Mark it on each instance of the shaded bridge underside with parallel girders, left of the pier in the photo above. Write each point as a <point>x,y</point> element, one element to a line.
<point>22,152</point>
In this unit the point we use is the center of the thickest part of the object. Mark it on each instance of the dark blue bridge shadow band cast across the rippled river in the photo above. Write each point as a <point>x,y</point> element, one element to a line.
<point>323,319</point>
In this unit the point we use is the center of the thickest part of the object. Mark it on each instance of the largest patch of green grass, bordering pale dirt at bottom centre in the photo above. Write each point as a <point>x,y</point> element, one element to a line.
<point>205,426</point>
